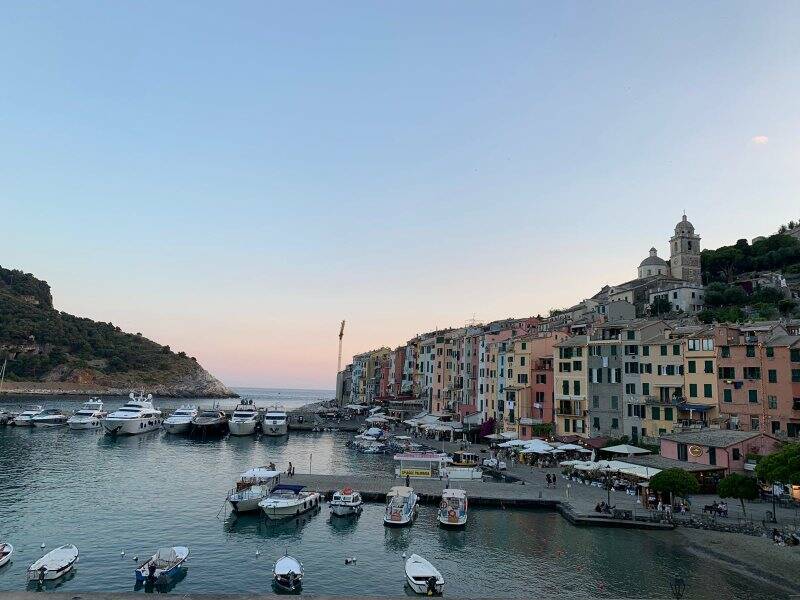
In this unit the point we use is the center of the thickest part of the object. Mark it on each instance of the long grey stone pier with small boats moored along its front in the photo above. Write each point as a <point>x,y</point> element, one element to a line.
<point>480,493</point>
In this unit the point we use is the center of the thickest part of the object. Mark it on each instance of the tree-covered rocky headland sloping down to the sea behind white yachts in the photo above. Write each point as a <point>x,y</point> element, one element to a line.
<point>51,350</point>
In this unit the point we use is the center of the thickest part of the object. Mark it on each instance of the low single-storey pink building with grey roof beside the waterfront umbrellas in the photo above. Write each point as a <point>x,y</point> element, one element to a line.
<point>722,448</point>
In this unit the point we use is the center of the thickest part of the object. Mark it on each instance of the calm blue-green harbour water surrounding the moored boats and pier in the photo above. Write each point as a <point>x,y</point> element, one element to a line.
<point>107,495</point>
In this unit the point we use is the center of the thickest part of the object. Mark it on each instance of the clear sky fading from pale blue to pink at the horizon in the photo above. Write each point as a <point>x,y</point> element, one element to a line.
<point>235,178</point>
